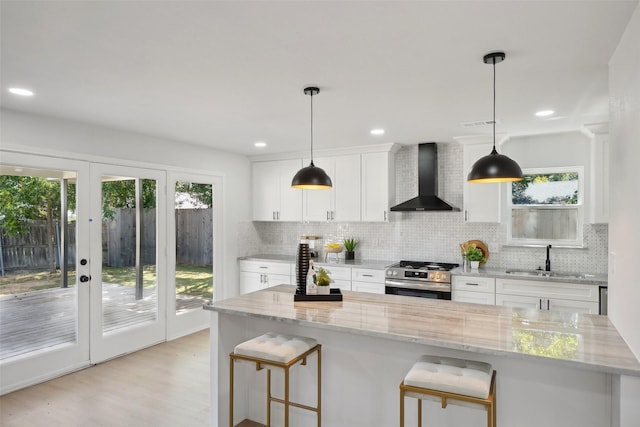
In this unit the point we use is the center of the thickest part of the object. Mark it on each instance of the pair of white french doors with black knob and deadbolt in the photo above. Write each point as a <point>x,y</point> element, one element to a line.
<point>85,280</point>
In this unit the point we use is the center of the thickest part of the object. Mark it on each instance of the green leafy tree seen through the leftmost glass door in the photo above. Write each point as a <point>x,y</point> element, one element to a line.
<point>26,198</point>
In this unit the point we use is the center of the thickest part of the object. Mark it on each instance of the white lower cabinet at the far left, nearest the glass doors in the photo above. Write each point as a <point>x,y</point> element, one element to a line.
<point>256,275</point>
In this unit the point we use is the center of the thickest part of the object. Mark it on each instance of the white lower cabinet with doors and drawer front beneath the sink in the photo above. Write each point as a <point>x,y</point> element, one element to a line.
<point>571,297</point>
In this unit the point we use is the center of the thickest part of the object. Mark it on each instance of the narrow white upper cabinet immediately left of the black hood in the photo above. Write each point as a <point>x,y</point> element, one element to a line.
<point>378,185</point>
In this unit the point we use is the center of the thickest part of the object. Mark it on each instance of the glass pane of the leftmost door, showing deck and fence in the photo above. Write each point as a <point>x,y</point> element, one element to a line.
<point>38,307</point>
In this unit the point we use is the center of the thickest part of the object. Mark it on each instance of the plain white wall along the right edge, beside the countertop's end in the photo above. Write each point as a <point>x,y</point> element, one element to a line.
<point>624,226</point>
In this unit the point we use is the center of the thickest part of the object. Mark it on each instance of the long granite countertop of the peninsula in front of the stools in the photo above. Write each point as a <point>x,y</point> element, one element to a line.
<point>566,339</point>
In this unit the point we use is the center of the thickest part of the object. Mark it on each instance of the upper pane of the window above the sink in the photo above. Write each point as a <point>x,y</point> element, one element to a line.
<point>546,189</point>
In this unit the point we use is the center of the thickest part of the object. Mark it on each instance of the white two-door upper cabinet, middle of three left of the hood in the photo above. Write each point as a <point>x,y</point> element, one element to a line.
<point>340,203</point>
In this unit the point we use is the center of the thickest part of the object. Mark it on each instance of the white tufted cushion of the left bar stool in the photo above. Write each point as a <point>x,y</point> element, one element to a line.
<point>275,347</point>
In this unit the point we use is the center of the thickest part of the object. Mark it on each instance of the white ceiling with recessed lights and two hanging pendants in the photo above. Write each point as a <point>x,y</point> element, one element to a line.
<point>227,74</point>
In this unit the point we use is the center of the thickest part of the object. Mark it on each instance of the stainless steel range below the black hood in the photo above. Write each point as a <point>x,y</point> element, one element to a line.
<point>419,279</point>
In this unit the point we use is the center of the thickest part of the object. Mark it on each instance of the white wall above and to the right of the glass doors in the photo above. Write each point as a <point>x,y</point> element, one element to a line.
<point>40,134</point>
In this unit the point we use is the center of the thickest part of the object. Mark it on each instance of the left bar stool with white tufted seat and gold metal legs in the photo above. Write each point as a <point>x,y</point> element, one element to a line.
<point>273,350</point>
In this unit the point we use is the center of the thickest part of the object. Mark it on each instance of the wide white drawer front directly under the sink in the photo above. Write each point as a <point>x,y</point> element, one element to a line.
<point>569,291</point>
